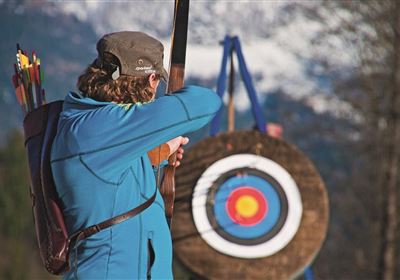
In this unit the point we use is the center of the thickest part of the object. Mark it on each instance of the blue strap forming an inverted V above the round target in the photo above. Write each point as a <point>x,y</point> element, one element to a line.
<point>233,42</point>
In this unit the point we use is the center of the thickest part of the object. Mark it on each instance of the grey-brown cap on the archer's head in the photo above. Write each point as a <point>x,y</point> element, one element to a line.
<point>138,53</point>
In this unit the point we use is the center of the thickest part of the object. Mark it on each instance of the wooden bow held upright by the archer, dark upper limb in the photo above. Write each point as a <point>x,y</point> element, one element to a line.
<point>175,82</point>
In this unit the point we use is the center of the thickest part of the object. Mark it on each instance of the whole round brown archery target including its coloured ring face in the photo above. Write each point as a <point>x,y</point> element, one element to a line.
<point>248,206</point>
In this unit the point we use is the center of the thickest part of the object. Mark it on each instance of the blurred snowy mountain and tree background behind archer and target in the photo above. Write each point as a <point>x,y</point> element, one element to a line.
<point>327,71</point>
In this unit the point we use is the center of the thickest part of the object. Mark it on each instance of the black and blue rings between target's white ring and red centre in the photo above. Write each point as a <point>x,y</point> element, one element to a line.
<point>236,233</point>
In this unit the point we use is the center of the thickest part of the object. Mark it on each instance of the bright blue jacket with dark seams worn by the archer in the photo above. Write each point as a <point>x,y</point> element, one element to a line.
<point>101,169</point>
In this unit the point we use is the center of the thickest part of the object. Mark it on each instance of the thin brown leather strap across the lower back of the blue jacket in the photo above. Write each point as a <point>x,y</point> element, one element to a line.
<point>85,233</point>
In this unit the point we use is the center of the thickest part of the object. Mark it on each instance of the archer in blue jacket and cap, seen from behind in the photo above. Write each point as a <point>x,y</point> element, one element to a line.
<point>99,156</point>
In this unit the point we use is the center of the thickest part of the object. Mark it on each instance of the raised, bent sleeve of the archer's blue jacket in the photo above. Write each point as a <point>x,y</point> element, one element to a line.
<point>112,137</point>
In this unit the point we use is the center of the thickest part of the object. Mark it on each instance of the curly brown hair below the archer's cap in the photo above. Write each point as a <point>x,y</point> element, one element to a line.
<point>97,84</point>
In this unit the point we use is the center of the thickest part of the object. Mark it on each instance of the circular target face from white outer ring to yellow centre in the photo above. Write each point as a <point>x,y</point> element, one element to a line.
<point>246,206</point>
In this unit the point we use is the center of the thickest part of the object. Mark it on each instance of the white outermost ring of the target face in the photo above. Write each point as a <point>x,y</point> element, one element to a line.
<point>268,248</point>
